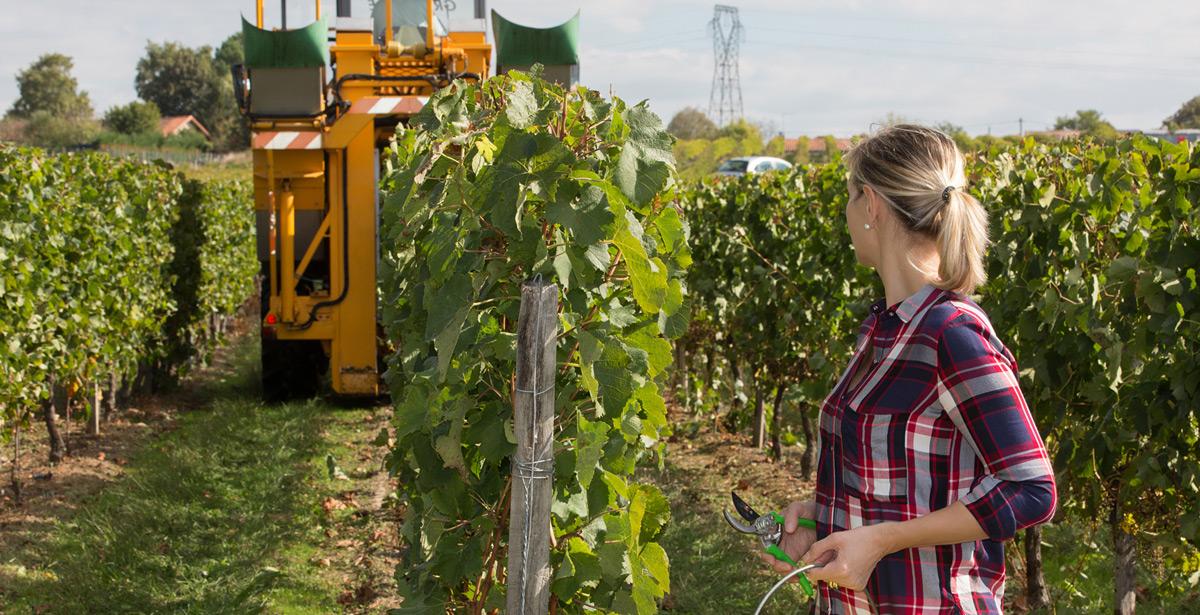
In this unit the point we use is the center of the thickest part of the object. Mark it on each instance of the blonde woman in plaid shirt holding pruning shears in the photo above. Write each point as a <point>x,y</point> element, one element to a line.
<point>929,458</point>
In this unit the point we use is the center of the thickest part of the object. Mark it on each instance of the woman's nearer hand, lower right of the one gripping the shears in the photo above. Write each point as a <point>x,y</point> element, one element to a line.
<point>849,557</point>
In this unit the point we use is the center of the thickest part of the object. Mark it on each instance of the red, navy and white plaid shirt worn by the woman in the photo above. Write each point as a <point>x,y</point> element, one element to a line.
<point>939,417</point>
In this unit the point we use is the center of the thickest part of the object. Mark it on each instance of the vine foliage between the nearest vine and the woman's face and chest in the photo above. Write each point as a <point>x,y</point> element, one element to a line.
<point>777,289</point>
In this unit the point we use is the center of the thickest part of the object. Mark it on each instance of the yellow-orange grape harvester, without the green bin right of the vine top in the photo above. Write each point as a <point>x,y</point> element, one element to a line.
<point>320,115</point>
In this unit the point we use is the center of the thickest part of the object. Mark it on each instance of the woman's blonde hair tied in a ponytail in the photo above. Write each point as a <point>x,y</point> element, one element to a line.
<point>919,172</point>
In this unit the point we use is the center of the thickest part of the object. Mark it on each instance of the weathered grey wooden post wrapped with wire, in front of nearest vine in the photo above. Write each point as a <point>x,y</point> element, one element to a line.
<point>533,465</point>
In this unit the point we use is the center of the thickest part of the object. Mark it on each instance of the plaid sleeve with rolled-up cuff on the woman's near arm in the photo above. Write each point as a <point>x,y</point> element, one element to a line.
<point>980,391</point>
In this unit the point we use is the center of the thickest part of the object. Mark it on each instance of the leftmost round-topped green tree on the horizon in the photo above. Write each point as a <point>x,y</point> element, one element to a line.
<point>49,86</point>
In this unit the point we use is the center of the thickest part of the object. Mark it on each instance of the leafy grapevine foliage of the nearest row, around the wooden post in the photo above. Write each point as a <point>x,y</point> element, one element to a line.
<point>493,186</point>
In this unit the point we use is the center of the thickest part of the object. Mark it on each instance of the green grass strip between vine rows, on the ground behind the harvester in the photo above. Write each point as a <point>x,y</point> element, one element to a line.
<point>220,516</point>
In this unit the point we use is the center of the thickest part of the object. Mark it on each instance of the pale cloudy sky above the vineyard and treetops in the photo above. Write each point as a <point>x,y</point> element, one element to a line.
<point>807,67</point>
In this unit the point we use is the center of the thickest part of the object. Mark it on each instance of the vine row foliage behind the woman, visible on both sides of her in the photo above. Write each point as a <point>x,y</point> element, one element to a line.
<point>1093,285</point>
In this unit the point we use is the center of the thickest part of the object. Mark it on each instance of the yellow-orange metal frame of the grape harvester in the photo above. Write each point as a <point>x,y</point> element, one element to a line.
<point>339,181</point>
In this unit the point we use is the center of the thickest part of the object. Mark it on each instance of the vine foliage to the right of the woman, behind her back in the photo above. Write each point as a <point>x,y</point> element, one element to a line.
<point>1095,286</point>
